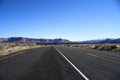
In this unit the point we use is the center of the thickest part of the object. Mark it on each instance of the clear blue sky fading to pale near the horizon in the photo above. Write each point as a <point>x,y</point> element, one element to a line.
<point>75,20</point>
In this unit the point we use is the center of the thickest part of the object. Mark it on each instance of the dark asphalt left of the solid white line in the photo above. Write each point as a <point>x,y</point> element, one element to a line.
<point>38,64</point>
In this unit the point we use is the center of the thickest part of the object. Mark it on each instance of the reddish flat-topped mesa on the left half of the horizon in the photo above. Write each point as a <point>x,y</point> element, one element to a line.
<point>31,40</point>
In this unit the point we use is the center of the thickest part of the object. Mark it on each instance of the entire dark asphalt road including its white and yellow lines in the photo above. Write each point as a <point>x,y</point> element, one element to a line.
<point>47,63</point>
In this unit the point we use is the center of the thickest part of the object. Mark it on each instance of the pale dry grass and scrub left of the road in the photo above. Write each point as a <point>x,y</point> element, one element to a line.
<point>8,48</point>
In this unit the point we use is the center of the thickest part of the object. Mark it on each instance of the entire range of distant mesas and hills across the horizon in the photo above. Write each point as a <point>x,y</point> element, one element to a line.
<point>59,40</point>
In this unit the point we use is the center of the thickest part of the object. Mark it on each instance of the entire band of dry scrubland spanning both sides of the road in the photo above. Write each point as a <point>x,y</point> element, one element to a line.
<point>9,48</point>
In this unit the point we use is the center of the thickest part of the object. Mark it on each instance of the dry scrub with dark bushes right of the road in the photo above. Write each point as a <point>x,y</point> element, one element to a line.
<point>104,47</point>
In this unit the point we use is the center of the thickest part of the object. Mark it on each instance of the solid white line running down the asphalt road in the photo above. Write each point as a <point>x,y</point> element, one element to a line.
<point>72,64</point>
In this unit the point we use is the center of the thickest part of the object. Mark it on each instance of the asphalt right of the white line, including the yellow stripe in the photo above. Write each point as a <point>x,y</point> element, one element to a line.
<point>95,66</point>
